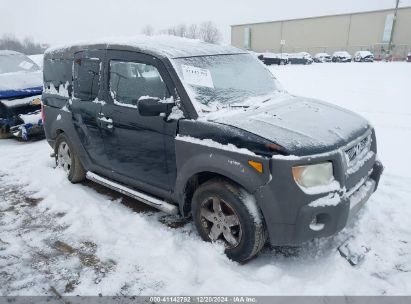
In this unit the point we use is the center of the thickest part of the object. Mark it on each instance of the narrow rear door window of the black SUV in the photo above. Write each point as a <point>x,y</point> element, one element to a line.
<point>86,78</point>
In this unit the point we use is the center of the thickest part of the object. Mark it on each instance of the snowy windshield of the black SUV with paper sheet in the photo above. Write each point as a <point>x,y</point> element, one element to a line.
<point>218,81</point>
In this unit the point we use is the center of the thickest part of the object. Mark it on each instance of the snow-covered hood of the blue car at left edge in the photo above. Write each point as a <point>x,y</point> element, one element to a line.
<point>20,84</point>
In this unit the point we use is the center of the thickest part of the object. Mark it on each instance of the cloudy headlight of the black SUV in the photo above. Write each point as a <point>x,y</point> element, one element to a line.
<point>314,175</point>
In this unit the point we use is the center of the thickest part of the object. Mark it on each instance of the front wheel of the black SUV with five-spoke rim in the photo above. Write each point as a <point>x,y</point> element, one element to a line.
<point>237,215</point>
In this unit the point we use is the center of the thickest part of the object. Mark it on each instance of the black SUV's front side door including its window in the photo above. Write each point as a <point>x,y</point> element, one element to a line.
<point>138,147</point>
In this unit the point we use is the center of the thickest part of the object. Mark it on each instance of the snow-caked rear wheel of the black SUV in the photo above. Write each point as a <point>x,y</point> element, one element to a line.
<point>68,160</point>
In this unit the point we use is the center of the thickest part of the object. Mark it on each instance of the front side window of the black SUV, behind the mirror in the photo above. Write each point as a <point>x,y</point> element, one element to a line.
<point>129,81</point>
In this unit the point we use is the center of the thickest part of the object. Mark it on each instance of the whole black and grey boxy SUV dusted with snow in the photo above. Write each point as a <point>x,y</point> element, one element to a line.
<point>206,131</point>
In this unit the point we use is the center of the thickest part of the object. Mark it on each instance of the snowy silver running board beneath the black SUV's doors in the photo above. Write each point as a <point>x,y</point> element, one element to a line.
<point>145,198</point>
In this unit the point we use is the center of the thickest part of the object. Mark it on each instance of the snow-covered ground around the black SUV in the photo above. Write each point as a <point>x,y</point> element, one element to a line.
<point>56,237</point>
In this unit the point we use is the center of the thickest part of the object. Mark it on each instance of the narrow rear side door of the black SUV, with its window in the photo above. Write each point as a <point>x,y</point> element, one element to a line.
<point>87,71</point>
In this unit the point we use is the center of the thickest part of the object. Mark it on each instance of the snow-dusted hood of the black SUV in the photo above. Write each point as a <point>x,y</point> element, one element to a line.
<point>302,126</point>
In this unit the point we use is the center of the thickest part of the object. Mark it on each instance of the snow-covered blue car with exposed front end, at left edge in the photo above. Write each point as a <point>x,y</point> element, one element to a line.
<point>21,84</point>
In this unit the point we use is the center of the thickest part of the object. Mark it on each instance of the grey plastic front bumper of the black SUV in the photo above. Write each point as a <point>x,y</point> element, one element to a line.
<point>291,215</point>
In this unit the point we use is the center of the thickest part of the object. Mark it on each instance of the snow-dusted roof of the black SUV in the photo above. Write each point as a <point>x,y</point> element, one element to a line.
<point>160,46</point>
